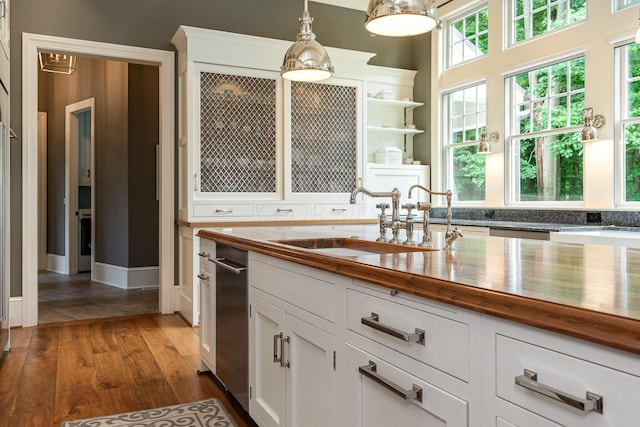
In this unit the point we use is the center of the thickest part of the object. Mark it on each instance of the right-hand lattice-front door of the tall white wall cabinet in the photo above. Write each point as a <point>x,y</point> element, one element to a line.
<point>322,138</point>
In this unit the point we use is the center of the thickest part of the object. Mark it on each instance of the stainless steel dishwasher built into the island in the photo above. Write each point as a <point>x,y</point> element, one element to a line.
<point>232,322</point>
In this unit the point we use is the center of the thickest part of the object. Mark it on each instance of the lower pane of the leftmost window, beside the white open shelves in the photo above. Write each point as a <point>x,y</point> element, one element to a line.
<point>468,174</point>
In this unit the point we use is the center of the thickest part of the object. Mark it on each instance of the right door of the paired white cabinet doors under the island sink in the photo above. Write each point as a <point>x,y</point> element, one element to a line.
<point>311,377</point>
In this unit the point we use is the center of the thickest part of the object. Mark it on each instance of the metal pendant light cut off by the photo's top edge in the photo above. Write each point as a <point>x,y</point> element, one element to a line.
<point>401,18</point>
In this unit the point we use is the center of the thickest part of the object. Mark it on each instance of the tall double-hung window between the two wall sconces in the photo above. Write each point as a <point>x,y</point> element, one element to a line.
<point>547,155</point>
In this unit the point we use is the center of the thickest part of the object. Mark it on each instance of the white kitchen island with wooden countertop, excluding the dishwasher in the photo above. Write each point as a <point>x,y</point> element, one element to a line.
<point>501,324</point>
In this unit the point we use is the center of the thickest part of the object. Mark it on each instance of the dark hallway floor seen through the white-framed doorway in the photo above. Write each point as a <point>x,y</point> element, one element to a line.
<point>64,297</point>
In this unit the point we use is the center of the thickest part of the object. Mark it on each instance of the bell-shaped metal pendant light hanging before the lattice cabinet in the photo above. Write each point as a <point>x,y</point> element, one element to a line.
<point>306,60</point>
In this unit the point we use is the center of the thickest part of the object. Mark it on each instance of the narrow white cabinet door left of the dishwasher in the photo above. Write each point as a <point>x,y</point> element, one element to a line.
<point>207,327</point>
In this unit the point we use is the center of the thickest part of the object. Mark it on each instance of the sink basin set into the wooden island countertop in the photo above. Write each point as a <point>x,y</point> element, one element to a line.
<point>347,246</point>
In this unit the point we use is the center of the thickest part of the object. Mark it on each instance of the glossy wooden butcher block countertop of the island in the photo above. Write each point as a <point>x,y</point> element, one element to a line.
<point>590,292</point>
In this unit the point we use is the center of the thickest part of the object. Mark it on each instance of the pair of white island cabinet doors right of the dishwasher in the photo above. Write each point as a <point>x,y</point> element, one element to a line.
<point>292,380</point>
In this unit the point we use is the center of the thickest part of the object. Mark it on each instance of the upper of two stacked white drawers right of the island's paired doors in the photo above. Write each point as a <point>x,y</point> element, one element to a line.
<point>446,341</point>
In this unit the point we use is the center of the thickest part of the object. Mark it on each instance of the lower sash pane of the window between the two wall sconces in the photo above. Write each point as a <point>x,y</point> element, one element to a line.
<point>550,168</point>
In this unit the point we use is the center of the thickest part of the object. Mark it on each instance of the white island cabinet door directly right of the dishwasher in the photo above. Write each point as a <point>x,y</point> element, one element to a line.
<point>266,373</point>
